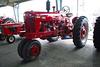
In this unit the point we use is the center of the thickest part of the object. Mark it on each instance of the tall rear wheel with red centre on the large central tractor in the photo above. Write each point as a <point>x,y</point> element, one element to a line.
<point>80,32</point>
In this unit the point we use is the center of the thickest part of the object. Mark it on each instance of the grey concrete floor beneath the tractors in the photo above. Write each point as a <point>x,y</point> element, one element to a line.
<point>58,54</point>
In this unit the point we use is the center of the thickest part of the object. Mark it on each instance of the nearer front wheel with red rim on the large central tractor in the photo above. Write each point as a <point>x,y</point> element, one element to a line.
<point>31,50</point>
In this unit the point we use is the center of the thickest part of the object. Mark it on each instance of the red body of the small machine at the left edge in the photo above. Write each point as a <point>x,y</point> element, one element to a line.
<point>11,28</point>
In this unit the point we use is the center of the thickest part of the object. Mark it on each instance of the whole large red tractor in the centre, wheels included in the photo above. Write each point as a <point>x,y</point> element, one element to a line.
<point>51,26</point>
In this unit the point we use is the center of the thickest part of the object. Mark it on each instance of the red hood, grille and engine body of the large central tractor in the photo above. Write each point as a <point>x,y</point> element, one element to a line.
<point>46,24</point>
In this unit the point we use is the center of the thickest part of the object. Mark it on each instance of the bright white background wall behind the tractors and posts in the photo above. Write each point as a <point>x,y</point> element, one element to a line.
<point>89,8</point>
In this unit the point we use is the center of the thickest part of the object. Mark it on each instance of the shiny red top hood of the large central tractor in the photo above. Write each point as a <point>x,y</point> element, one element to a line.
<point>45,16</point>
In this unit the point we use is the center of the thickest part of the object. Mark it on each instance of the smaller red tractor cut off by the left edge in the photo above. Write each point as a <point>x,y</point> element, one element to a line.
<point>8,28</point>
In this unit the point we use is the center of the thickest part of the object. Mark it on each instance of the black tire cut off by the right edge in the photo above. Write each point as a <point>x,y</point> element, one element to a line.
<point>96,34</point>
